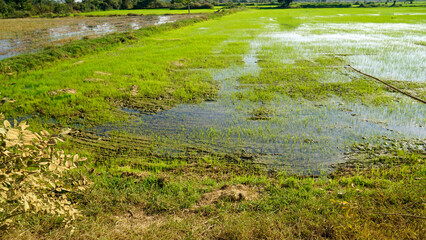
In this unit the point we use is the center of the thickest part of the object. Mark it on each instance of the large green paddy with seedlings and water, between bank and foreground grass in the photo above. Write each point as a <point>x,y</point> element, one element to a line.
<point>270,86</point>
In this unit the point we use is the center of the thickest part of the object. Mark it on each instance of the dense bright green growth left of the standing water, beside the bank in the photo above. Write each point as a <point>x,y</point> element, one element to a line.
<point>100,83</point>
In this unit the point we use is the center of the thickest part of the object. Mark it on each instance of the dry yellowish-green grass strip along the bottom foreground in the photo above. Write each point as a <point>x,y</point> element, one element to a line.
<point>130,202</point>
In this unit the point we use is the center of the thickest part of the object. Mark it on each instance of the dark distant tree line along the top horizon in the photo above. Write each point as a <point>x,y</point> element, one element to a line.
<point>26,8</point>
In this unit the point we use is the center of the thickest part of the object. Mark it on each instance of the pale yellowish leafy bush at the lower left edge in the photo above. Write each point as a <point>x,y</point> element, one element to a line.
<point>31,174</point>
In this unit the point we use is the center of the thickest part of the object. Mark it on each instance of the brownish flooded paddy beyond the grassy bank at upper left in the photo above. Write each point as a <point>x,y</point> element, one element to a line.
<point>26,35</point>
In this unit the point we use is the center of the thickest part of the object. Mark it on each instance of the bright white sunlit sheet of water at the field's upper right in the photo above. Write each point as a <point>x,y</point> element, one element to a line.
<point>390,51</point>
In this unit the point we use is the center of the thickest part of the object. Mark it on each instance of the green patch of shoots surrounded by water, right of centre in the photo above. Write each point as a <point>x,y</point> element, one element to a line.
<point>303,80</point>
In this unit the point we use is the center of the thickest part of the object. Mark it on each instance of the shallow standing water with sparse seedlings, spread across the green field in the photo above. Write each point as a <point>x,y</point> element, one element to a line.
<point>295,134</point>
